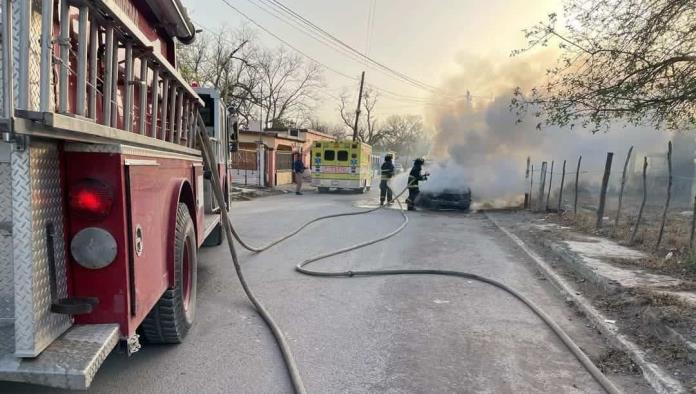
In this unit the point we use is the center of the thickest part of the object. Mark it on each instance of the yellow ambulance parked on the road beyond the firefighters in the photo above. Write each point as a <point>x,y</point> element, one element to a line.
<point>341,165</point>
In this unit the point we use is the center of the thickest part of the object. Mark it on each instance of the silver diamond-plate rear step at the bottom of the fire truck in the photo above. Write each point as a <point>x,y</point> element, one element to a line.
<point>70,362</point>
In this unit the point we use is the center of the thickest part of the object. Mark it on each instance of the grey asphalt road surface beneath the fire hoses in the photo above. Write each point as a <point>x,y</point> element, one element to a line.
<point>365,335</point>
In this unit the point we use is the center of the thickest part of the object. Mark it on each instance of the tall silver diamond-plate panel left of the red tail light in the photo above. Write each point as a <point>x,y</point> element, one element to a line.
<point>36,203</point>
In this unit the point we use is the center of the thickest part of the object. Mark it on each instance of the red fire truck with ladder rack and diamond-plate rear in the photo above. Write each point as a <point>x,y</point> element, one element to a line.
<point>103,194</point>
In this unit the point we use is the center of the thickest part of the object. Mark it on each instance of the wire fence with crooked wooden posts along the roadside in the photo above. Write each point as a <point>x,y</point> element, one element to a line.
<point>633,204</point>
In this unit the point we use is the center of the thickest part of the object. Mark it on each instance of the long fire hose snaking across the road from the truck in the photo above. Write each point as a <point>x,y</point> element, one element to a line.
<point>293,370</point>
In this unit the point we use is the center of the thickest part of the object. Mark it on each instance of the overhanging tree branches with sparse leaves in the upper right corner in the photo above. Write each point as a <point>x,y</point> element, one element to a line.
<point>628,60</point>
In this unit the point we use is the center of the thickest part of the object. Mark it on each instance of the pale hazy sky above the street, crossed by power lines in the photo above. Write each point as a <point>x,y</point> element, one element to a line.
<point>427,40</point>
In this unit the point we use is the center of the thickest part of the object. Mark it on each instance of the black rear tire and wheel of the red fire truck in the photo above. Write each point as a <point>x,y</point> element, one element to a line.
<point>172,316</point>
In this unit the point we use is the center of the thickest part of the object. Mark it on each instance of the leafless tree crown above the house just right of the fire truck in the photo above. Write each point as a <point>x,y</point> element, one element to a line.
<point>278,84</point>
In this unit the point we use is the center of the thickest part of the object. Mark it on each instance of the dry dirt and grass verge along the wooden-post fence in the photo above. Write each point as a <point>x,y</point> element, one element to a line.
<point>655,321</point>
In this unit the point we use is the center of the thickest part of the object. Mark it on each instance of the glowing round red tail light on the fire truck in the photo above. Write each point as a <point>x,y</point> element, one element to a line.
<point>92,198</point>
